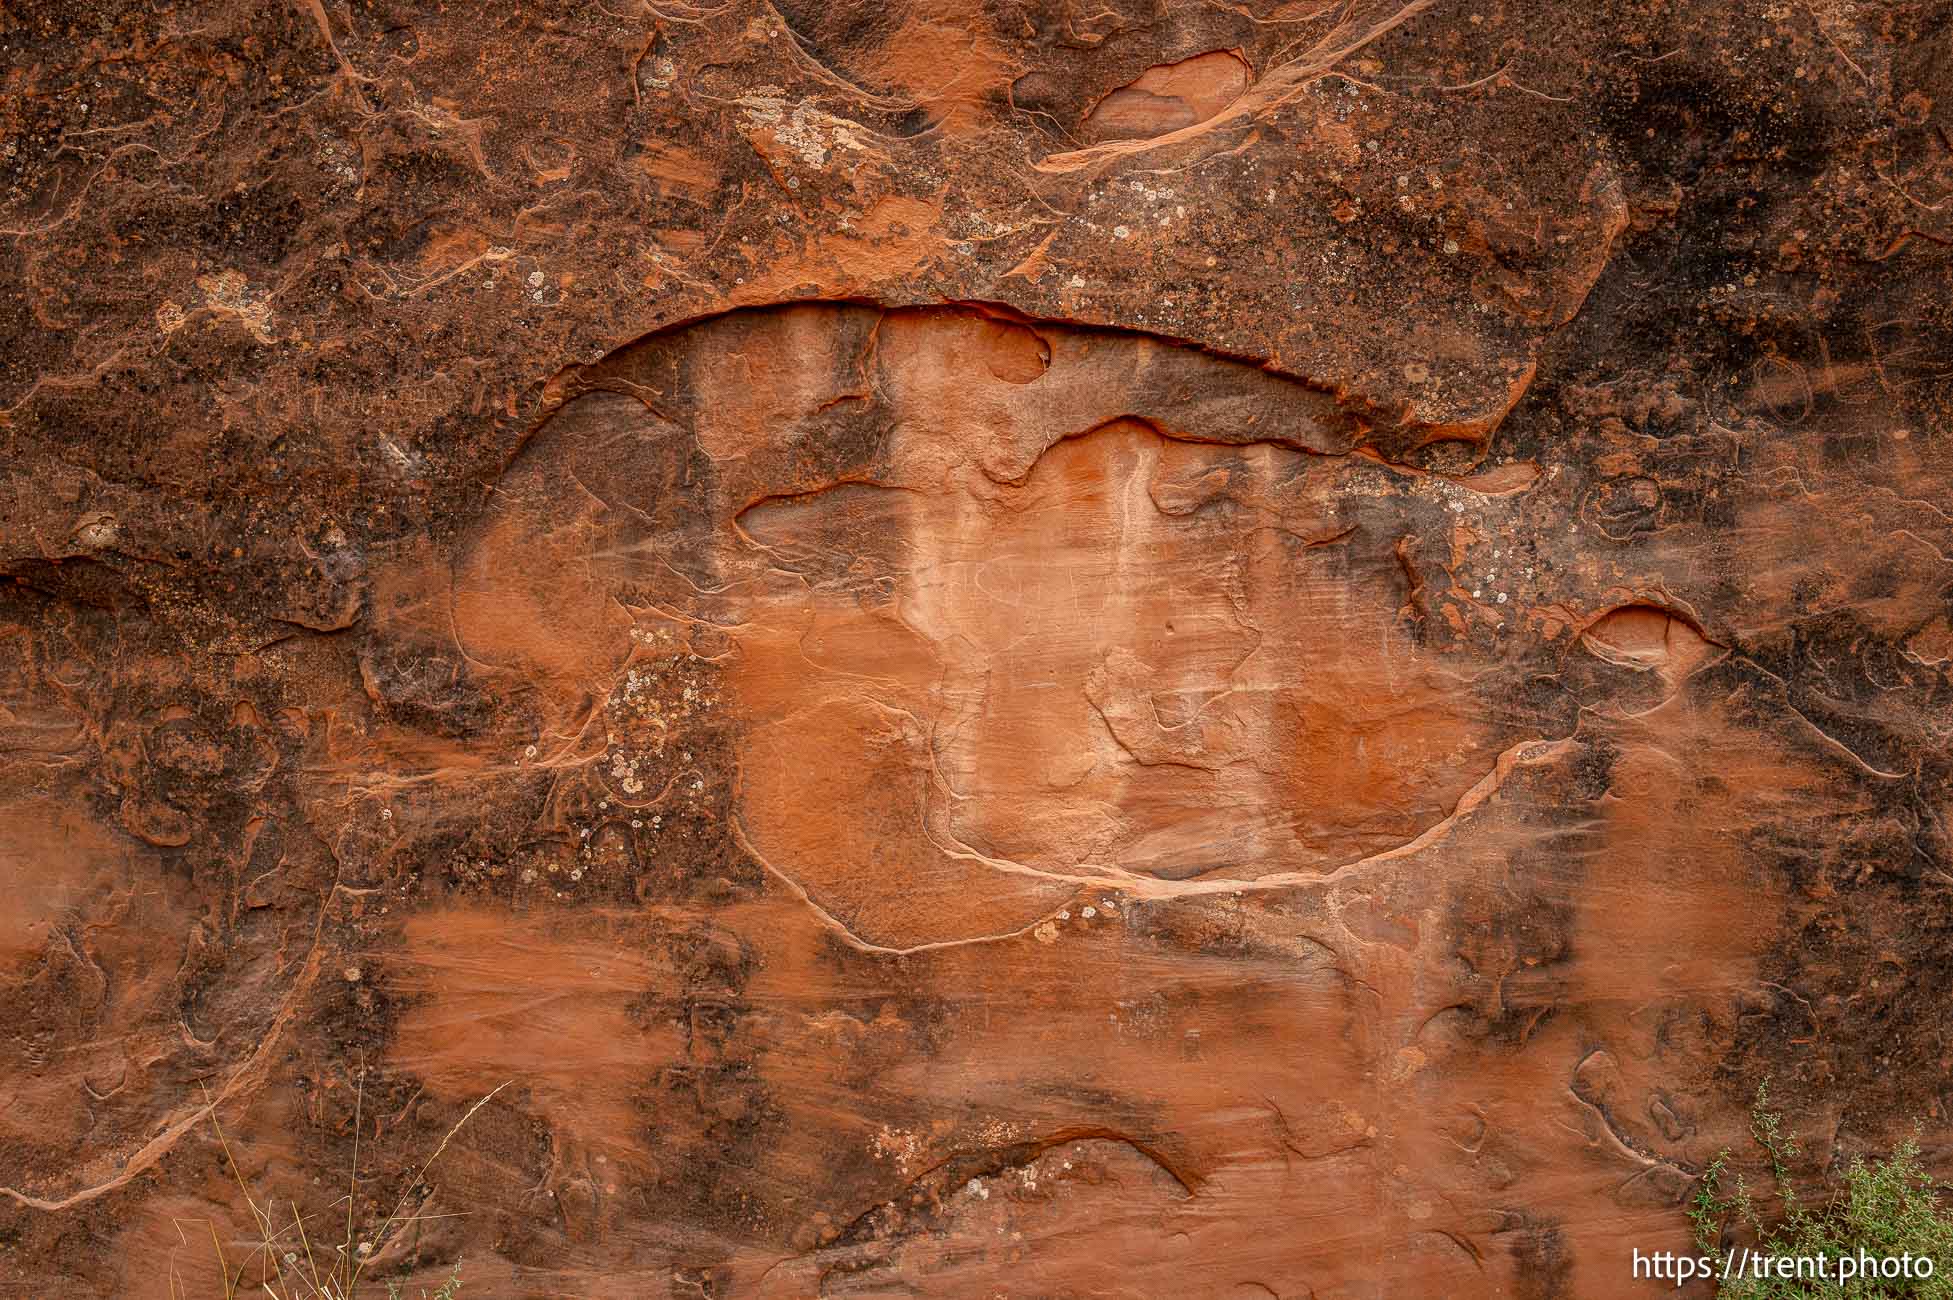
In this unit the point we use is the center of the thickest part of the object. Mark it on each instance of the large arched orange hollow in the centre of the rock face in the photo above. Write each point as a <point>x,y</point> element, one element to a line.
<point>1048,604</point>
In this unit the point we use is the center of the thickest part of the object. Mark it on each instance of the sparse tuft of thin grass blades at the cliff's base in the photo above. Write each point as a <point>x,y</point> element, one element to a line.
<point>284,1262</point>
